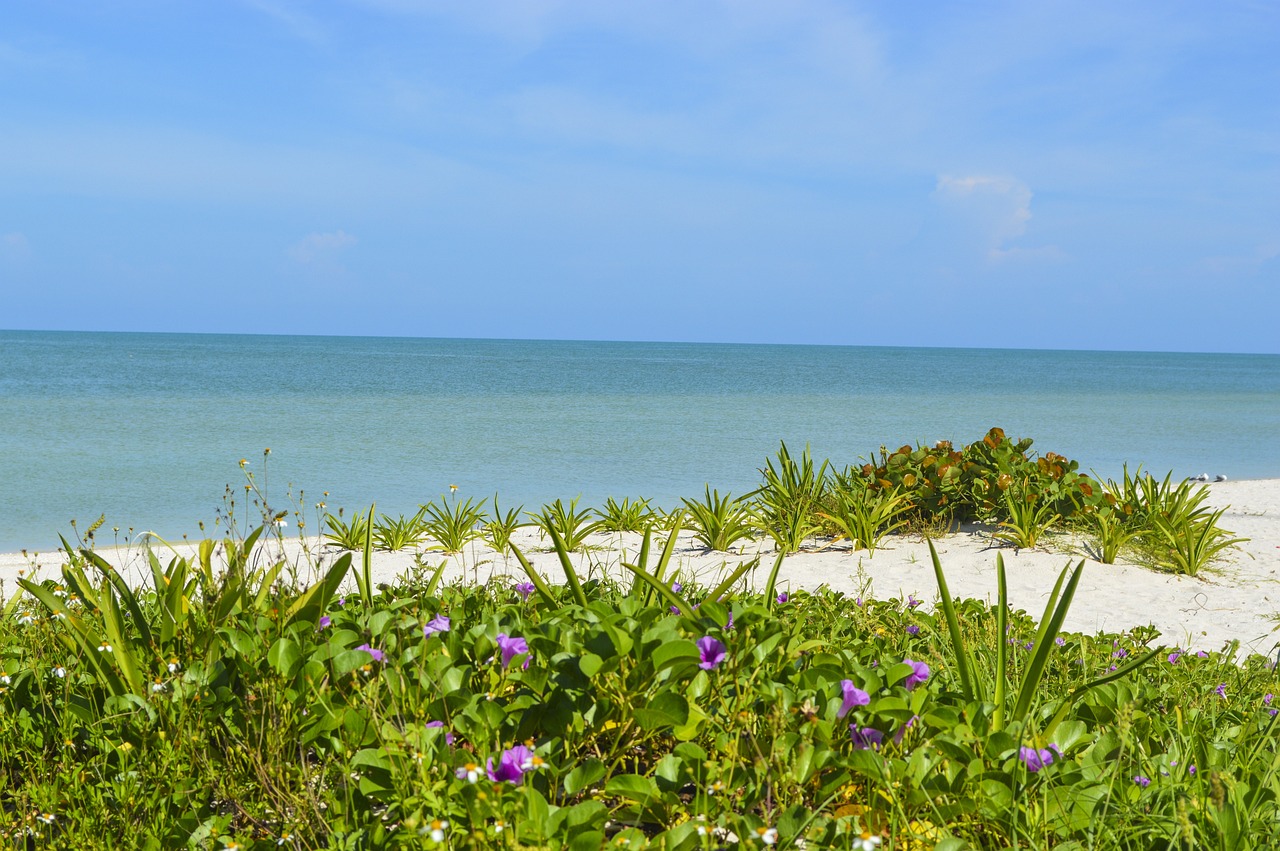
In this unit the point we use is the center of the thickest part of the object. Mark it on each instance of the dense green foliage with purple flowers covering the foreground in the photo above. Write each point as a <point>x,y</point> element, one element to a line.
<point>225,711</point>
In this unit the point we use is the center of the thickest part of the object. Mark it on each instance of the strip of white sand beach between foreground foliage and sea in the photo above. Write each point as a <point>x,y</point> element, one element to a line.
<point>1237,600</point>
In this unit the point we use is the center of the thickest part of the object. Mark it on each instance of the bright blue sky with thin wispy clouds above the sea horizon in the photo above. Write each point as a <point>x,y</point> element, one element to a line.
<point>1084,176</point>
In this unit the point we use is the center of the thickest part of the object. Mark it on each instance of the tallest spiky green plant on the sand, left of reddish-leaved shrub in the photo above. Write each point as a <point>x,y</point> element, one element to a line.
<point>788,504</point>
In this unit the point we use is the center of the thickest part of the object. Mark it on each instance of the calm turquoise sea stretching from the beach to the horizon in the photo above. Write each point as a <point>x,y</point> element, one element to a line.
<point>149,429</point>
